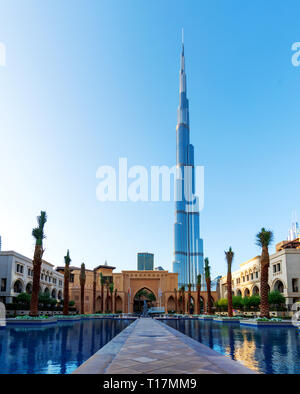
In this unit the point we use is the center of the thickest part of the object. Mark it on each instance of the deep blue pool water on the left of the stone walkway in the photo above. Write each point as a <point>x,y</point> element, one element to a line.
<point>55,348</point>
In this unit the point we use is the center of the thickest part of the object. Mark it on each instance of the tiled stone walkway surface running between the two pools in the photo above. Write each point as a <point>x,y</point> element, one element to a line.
<point>154,348</point>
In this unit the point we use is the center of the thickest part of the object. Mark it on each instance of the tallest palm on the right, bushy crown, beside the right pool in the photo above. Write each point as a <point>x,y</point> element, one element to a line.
<point>263,239</point>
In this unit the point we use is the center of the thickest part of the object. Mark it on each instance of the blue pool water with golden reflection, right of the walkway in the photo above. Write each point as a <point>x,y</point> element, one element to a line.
<point>271,350</point>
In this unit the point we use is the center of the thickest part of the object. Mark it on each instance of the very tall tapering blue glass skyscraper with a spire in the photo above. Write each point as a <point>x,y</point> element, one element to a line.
<point>188,246</point>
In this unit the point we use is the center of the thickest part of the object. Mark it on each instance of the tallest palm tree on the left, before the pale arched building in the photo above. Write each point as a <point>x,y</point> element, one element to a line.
<point>39,235</point>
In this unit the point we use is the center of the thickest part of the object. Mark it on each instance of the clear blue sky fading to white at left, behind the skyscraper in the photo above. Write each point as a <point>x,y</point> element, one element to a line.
<point>88,82</point>
